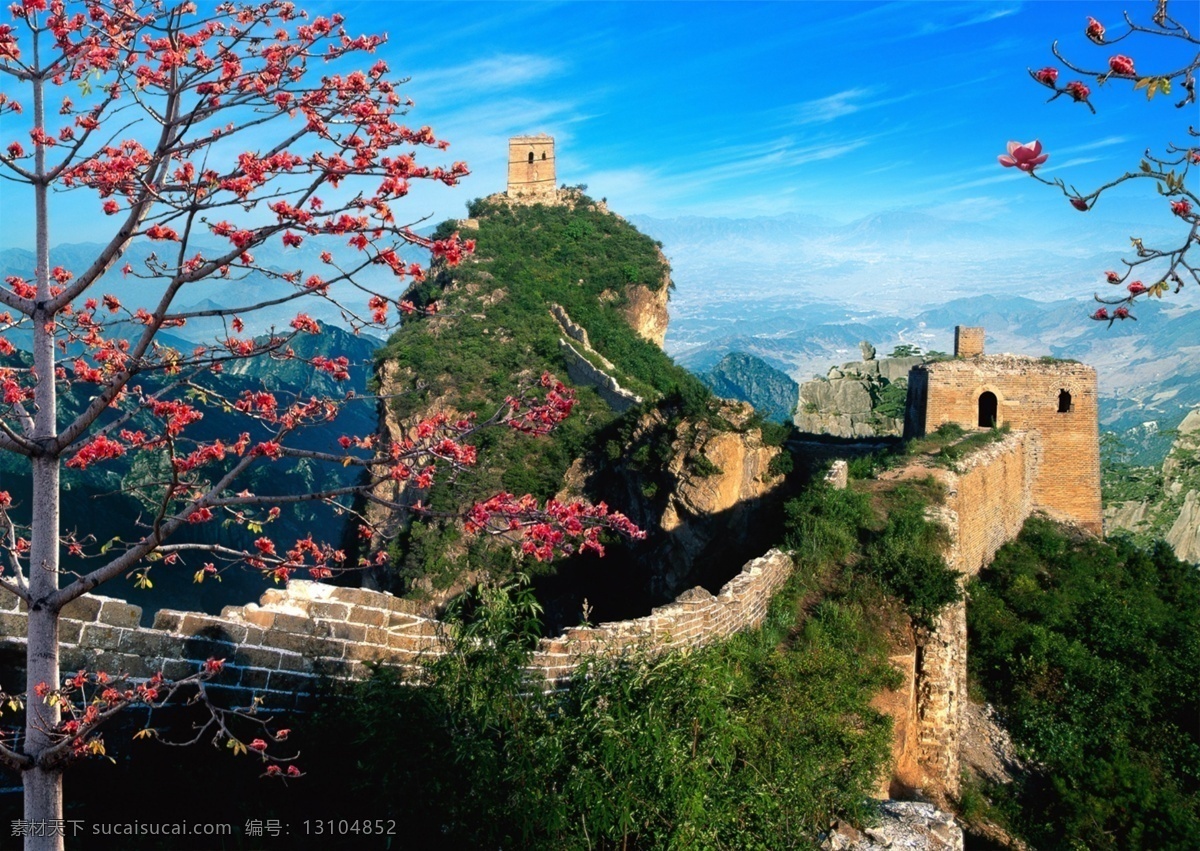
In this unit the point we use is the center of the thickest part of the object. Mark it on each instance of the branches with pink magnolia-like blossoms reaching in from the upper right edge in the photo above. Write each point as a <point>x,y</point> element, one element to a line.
<point>1150,272</point>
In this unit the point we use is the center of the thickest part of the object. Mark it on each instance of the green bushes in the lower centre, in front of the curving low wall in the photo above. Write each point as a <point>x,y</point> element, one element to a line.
<point>754,744</point>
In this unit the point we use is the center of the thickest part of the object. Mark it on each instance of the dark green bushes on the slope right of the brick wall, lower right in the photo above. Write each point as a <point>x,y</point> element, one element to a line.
<point>1091,652</point>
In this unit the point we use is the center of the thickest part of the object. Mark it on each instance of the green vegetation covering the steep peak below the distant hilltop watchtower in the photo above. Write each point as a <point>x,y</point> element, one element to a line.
<point>495,331</point>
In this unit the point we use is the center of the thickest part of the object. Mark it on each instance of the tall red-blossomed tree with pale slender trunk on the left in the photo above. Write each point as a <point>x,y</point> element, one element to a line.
<point>206,137</point>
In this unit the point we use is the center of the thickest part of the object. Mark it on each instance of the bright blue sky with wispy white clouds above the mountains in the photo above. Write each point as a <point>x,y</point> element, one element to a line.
<point>841,110</point>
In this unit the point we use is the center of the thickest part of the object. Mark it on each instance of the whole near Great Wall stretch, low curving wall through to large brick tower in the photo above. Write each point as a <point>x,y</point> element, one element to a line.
<point>297,638</point>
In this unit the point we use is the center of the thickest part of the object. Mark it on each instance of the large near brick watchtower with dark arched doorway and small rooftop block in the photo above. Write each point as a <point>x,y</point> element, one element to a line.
<point>1054,399</point>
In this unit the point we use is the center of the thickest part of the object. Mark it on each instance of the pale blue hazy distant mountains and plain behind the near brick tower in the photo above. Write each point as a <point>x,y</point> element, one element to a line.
<point>801,292</point>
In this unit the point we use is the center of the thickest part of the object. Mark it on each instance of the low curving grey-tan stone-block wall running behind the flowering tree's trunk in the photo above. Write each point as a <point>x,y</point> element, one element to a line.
<point>284,648</point>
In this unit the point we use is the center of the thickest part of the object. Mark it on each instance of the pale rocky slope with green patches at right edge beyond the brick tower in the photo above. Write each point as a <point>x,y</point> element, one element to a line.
<point>1167,501</point>
